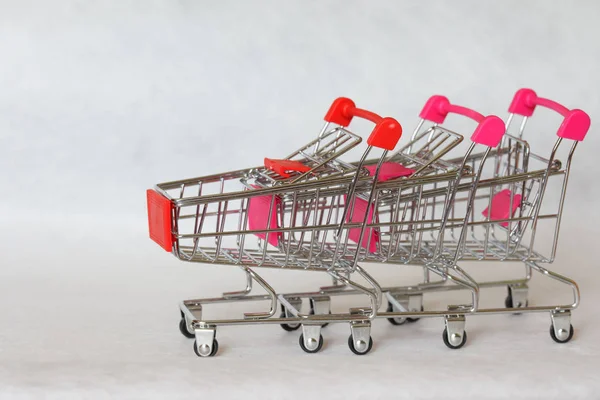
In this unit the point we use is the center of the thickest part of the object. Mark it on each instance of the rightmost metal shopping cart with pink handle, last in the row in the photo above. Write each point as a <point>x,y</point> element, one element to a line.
<point>496,217</point>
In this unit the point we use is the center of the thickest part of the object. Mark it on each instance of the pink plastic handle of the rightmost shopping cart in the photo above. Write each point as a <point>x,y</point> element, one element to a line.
<point>575,125</point>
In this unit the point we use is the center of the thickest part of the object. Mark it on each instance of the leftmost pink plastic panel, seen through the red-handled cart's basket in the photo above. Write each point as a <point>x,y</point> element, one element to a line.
<point>259,217</point>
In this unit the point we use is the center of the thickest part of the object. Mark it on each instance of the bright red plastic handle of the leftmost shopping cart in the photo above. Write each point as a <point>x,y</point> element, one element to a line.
<point>387,131</point>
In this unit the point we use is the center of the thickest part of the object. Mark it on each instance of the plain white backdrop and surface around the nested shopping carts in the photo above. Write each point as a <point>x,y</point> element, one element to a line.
<point>101,100</point>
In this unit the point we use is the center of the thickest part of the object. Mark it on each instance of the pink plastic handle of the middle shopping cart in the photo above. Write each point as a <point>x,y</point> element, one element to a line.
<point>489,131</point>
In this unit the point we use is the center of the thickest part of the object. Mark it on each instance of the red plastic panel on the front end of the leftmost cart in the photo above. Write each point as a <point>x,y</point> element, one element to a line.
<point>159,219</point>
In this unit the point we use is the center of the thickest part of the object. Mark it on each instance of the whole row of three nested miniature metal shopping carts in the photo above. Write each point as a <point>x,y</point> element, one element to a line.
<point>312,211</point>
